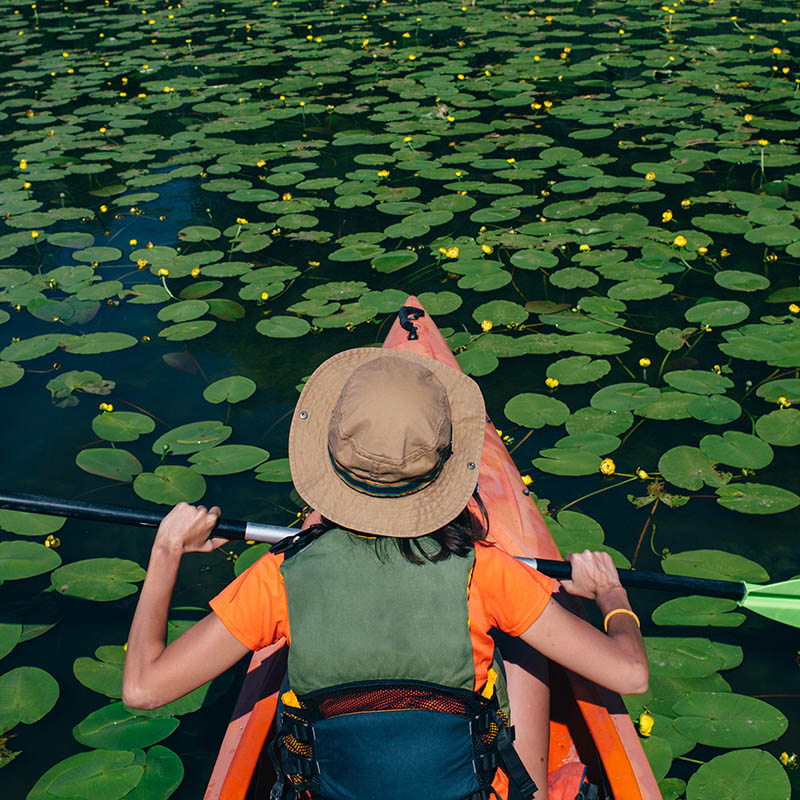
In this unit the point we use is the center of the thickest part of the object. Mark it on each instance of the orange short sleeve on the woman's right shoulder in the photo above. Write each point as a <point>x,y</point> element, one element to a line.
<point>513,594</point>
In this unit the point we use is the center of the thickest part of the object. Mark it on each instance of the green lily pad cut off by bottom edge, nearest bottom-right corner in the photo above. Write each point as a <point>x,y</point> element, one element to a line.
<point>743,774</point>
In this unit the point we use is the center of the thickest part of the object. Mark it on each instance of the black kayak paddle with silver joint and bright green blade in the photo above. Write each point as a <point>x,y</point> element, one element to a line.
<point>778,601</point>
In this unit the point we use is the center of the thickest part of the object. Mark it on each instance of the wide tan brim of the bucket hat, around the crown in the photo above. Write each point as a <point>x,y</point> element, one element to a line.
<point>404,517</point>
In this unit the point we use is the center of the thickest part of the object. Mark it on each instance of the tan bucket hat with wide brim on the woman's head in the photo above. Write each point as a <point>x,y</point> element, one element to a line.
<point>387,442</point>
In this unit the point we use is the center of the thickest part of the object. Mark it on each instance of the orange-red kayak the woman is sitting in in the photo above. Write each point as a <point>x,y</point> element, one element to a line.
<point>590,731</point>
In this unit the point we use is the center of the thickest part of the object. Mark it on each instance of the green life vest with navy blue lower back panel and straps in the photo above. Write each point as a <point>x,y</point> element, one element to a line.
<point>381,674</point>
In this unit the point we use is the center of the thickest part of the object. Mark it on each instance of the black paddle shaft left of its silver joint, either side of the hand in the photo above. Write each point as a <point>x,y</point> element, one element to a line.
<point>78,509</point>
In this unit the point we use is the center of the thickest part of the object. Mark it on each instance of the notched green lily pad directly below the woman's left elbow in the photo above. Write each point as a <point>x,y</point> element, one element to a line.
<point>113,727</point>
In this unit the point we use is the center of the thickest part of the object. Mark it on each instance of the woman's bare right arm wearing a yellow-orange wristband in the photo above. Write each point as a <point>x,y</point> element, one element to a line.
<point>616,660</point>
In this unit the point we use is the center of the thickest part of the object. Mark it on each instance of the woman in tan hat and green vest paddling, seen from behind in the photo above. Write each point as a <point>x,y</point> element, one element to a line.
<point>388,605</point>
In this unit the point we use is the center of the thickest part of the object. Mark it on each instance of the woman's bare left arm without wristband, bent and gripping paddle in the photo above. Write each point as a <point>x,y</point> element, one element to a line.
<point>154,673</point>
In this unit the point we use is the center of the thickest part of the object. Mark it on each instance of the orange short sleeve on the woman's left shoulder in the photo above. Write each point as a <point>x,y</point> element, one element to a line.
<point>254,607</point>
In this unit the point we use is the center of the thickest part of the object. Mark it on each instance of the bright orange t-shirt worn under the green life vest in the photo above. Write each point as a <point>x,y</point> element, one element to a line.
<point>503,593</point>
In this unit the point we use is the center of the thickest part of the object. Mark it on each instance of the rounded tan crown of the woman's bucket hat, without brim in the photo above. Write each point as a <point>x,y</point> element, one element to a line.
<point>392,422</point>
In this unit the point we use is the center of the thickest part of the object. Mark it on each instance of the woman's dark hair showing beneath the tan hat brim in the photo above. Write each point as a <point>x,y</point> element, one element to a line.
<point>456,538</point>
